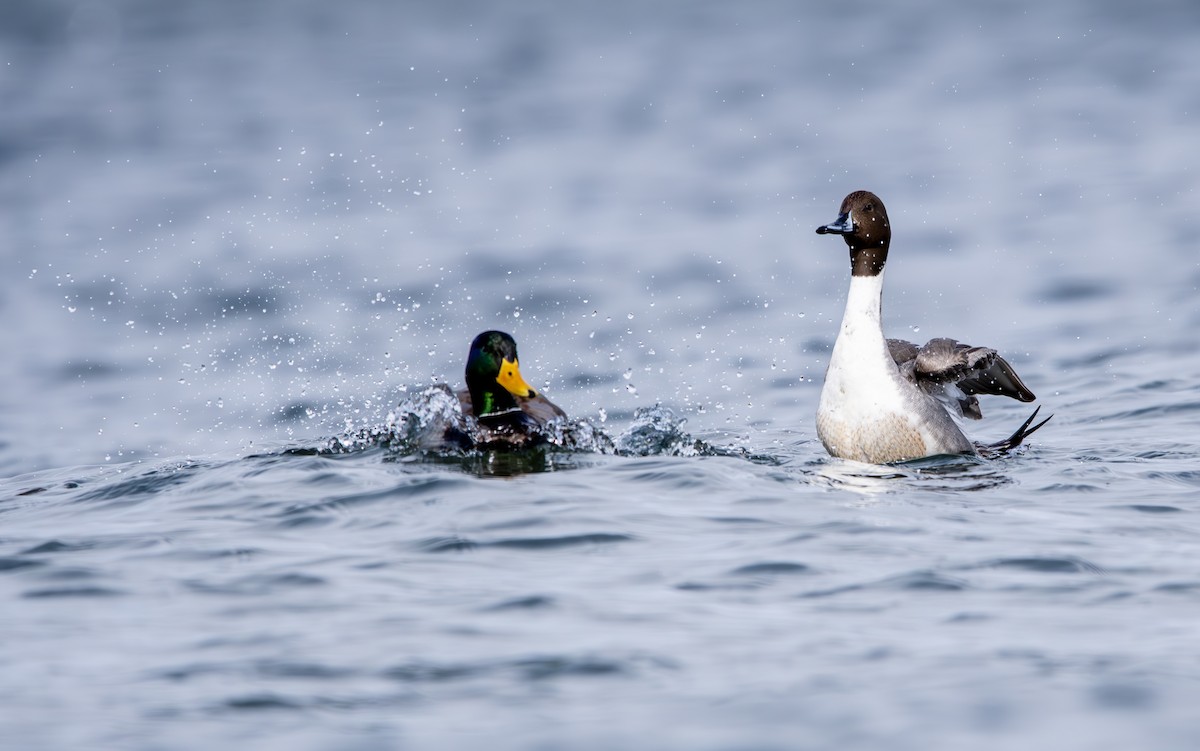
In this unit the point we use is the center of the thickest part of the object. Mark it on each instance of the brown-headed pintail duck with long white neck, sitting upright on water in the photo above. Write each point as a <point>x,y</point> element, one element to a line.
<point>889,401</point>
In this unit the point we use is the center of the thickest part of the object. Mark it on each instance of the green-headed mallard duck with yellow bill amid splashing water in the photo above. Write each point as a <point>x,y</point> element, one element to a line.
<point>509,411</point>
